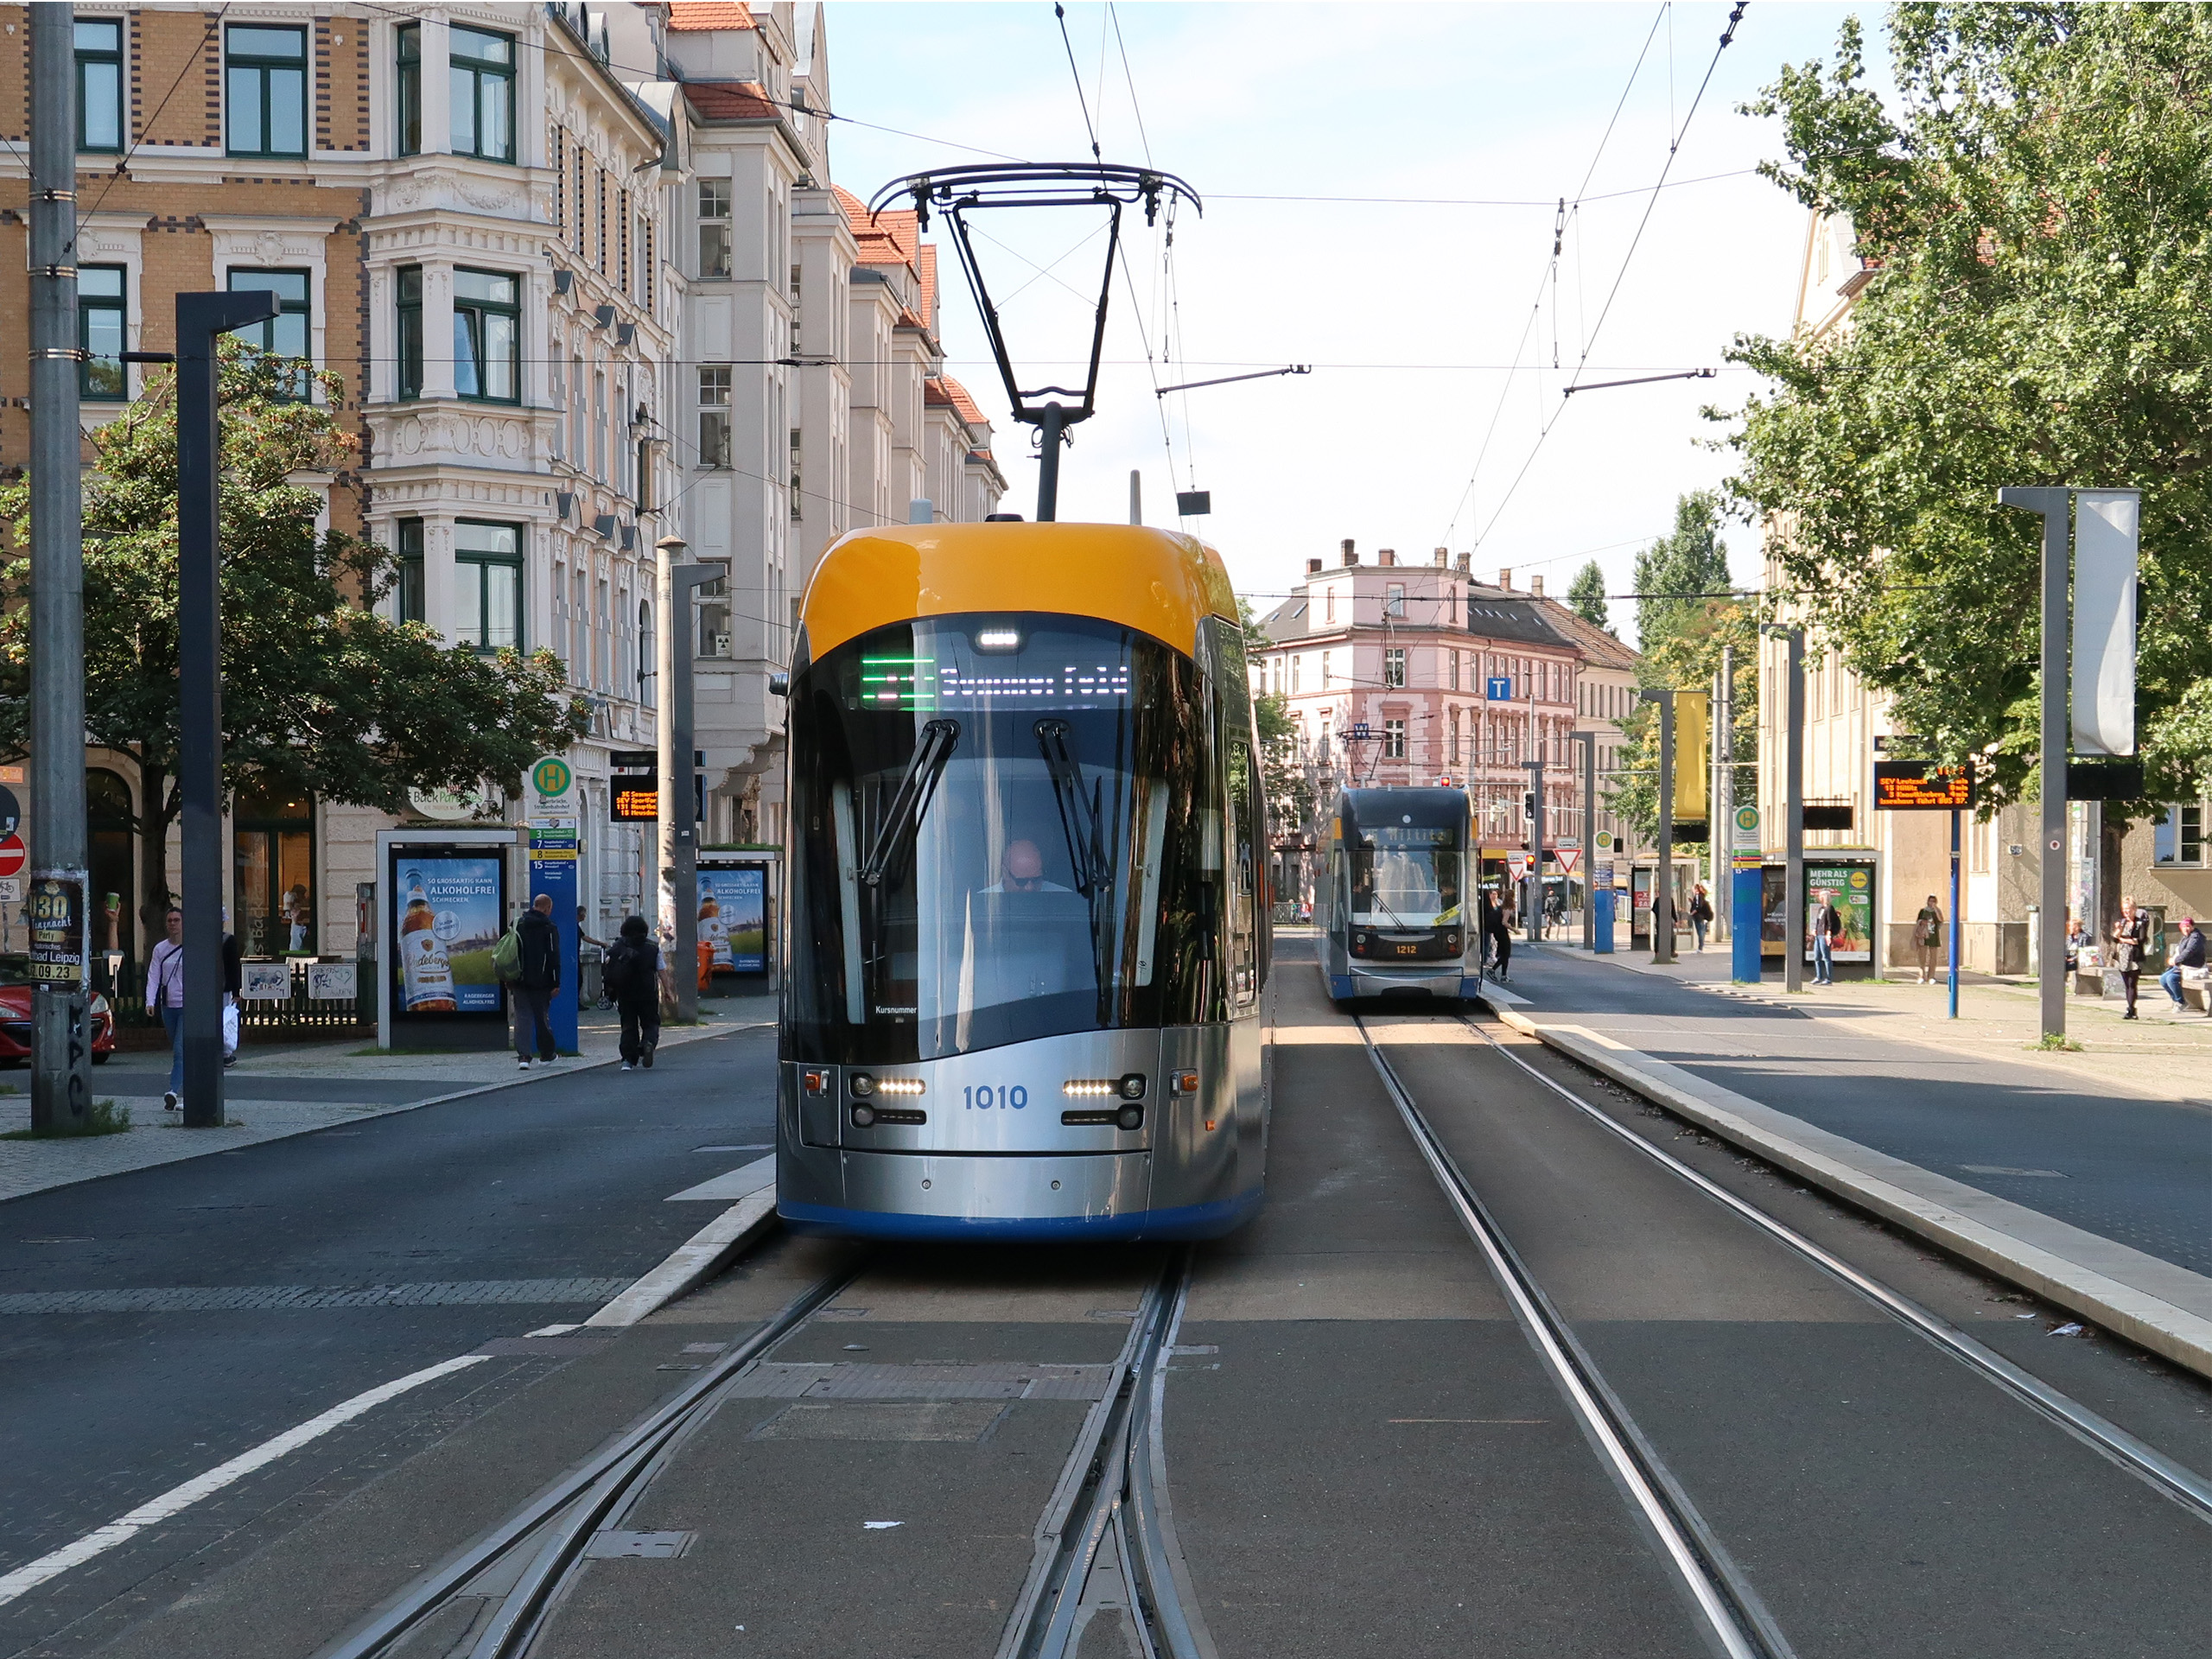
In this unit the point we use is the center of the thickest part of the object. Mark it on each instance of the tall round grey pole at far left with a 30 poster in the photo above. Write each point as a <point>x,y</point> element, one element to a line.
<point>61,906</point>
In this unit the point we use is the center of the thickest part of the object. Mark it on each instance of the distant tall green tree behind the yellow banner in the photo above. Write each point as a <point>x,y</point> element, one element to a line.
<point>1684,620</point>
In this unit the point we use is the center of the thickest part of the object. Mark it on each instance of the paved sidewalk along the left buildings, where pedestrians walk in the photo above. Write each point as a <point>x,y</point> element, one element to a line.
<point>295,1089</point>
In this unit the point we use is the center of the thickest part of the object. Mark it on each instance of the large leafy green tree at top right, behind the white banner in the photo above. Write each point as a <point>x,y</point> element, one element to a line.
<point>2034,216</point>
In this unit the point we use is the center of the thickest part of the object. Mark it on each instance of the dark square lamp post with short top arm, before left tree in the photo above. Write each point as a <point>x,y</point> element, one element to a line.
<point>200,685</point>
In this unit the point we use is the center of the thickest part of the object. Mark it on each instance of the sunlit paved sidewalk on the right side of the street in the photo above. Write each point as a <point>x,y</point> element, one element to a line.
<point>2160,1056</point>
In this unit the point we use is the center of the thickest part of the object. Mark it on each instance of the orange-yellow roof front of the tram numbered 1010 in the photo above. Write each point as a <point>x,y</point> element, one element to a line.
<point>1158,583</point>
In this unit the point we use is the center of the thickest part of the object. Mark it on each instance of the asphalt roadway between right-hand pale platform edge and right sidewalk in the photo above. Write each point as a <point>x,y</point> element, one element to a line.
<point>2127,1169</point>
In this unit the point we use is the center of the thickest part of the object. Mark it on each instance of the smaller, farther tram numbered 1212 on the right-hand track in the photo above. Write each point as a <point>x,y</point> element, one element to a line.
<point>1399,904</point>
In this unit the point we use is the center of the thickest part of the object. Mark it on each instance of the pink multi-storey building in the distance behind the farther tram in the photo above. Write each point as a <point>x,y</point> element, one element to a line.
<point>1388,671</point>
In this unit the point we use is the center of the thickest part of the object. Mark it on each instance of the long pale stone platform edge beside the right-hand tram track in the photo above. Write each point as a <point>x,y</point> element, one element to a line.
<point>2149,1302</point>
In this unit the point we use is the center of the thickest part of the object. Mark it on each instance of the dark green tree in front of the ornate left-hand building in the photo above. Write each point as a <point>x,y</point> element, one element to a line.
<point>320,691</point>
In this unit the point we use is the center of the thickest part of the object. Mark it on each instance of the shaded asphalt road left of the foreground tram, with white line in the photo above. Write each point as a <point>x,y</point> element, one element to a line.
<point>483,1218</point>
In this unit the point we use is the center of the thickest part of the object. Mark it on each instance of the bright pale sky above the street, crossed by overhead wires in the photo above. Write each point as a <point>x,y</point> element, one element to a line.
<point>1434,415</point>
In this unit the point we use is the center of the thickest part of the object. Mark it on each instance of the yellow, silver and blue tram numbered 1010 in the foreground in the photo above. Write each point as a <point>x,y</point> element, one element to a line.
<point>1027,924</point>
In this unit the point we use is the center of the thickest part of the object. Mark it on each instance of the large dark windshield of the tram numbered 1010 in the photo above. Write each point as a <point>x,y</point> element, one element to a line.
<point>985,813</point>
